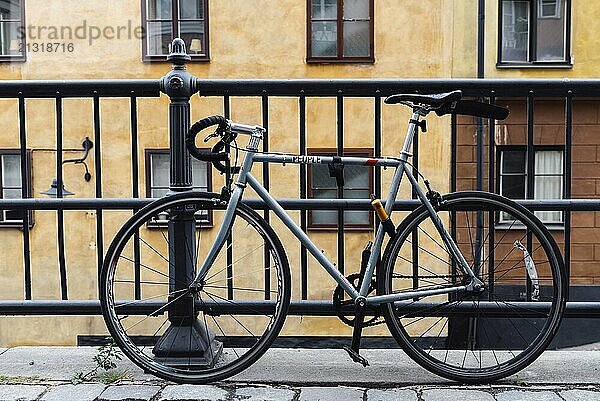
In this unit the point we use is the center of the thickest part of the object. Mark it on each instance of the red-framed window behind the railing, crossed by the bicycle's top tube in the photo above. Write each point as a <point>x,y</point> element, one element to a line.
<point>358,184</point>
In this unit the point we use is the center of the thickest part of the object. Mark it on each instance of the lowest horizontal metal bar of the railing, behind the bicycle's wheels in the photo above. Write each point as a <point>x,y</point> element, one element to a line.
<point>297,308</point>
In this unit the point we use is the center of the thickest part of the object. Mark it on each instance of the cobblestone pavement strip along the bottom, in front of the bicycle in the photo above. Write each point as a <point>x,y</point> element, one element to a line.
<point>156,391</point>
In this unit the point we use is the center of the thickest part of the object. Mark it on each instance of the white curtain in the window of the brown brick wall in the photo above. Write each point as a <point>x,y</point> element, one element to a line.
<point>549,182</point>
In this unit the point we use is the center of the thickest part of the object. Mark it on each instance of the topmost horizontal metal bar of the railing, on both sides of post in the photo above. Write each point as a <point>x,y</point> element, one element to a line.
<point>302,87</point>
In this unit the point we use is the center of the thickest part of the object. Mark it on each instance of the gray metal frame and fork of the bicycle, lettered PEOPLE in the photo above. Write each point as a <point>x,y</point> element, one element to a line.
<point>246,178</point>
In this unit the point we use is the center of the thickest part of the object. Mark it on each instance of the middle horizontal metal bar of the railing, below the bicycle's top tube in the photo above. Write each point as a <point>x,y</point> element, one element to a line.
<point>573,205</point>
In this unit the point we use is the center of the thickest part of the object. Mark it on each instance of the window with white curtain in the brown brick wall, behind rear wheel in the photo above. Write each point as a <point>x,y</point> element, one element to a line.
<point>547,180</point>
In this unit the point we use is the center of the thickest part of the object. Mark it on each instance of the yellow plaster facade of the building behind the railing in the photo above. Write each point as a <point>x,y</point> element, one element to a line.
<point>247,39</point>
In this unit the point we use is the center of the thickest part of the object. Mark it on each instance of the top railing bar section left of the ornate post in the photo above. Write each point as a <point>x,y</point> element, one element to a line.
<point>80,88</point>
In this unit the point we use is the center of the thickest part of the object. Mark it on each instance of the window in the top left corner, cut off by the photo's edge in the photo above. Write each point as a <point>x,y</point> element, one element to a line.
<point>12,32</point>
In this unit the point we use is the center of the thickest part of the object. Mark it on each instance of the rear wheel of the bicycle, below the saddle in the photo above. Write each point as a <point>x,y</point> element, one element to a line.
<point>475,336</point>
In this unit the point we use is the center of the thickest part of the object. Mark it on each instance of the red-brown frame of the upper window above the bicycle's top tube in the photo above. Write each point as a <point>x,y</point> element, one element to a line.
<point>340,58</point>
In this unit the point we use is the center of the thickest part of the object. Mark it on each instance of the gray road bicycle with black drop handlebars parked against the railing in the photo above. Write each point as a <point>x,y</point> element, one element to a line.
<point>475,303</point>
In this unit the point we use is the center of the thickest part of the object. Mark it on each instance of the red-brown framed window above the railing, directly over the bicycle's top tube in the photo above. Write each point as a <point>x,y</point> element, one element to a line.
<point>340,30</point>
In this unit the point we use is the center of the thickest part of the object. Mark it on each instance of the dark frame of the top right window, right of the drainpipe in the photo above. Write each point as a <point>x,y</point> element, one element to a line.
<point>534,15</point>
